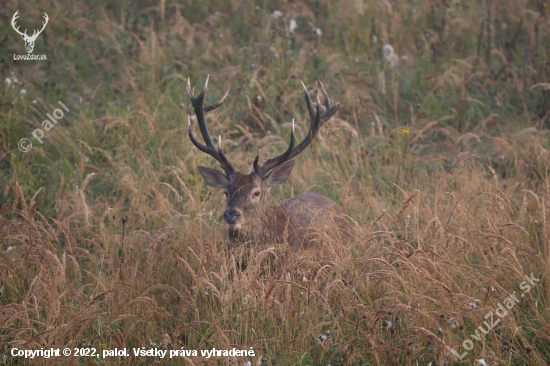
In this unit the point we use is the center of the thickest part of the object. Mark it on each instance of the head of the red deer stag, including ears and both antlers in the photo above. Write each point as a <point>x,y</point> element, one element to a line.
<point>247,194</point>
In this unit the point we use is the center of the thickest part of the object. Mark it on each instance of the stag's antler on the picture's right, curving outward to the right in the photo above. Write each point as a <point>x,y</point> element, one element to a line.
<point>316,118</point>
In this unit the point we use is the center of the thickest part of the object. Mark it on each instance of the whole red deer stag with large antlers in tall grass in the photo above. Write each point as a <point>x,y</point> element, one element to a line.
<point>302,221</point>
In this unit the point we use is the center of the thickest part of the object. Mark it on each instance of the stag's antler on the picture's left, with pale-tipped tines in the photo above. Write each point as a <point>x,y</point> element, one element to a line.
<point>209,148</point>
